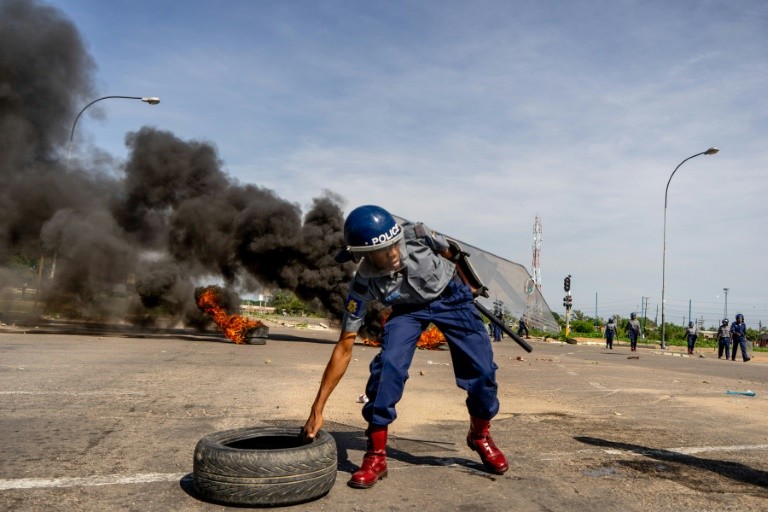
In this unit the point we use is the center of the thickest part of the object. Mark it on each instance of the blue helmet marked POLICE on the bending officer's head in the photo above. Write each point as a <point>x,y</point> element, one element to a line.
<point>369,228</point>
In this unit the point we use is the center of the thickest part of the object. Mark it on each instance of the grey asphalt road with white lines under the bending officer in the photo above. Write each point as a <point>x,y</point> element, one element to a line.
<point>108,420</point>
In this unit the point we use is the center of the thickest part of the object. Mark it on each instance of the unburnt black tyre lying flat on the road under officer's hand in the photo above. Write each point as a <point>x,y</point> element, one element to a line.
<point>264,466</point>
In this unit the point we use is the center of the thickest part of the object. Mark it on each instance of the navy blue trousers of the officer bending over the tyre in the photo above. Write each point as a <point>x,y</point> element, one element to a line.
<point>471,354</point>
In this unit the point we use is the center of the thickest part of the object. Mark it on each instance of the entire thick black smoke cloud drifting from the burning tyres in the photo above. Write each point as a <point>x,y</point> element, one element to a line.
<point>153,229</point>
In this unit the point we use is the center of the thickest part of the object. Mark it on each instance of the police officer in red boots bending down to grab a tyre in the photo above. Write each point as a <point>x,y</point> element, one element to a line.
<point>405,267</point>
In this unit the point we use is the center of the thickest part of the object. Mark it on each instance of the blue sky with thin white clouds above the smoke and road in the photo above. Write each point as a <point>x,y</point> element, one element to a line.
<point>474,117</point>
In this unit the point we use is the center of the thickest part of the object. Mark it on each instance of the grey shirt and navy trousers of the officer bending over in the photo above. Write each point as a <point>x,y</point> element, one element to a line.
<point>426,289</point>
